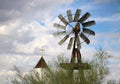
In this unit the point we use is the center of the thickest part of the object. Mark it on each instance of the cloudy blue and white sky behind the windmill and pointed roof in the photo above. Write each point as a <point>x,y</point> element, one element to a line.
<point>26,26</point>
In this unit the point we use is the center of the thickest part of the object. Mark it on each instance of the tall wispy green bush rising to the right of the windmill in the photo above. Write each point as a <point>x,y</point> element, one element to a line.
<point>99,68</point>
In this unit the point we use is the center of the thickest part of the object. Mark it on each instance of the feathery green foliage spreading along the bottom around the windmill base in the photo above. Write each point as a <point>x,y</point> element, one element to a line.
<point>96,75</point>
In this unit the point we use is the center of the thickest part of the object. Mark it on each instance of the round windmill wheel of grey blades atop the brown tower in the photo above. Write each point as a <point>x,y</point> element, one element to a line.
<point>79,30</point>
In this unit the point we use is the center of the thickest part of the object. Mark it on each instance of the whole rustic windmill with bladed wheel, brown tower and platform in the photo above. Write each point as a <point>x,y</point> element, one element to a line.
<point>75,27</point>
